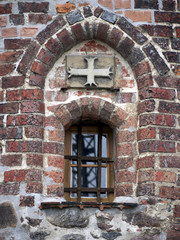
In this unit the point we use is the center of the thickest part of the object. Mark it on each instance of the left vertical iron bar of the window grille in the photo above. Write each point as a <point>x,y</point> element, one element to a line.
<point>79,162</point>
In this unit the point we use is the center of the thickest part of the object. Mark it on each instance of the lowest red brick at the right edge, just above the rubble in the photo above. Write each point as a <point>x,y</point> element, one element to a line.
<point>169,192</point>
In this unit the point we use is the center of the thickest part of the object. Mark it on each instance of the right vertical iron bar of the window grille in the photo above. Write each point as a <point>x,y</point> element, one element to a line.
<point>99,164</point>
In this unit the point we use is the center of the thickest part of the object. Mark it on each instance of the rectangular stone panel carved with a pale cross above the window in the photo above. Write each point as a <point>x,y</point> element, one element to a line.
<point>90,71</point>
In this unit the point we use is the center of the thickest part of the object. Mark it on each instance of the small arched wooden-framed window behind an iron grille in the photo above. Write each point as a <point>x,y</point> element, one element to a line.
<point>89,171</point>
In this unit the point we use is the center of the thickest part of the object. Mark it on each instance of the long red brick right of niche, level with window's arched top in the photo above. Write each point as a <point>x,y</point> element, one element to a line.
<point>157,119</point>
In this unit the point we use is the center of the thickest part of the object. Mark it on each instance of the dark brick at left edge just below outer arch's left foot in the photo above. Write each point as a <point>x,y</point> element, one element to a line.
<point>12,82</point>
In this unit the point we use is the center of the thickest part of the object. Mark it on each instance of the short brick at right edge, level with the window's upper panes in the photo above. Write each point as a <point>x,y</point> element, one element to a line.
<point>169,134</point>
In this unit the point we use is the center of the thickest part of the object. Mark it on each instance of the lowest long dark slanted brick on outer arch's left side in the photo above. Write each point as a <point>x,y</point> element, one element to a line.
<point>28,57</point>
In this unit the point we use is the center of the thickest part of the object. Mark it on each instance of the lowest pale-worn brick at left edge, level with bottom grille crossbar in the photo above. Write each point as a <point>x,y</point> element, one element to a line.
<point>9,189</point>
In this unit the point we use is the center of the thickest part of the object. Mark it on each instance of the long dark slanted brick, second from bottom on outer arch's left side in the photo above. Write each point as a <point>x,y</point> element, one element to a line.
<point>51,29</point>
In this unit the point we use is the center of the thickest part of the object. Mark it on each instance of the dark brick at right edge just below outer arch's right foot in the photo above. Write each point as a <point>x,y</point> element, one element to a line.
<point>171,82</point>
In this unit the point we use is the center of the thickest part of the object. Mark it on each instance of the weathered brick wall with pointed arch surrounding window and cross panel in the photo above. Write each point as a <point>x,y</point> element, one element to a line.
<point>35,36</point>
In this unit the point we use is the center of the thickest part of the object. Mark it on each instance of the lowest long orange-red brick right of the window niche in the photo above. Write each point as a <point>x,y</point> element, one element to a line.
<point>159,176</point>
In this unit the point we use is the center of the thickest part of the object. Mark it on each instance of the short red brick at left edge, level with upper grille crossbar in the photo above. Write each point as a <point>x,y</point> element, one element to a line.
<point>11,160</point>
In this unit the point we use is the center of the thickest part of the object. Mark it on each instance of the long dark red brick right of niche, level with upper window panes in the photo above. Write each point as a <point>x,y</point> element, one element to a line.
<point>157,146</point>
